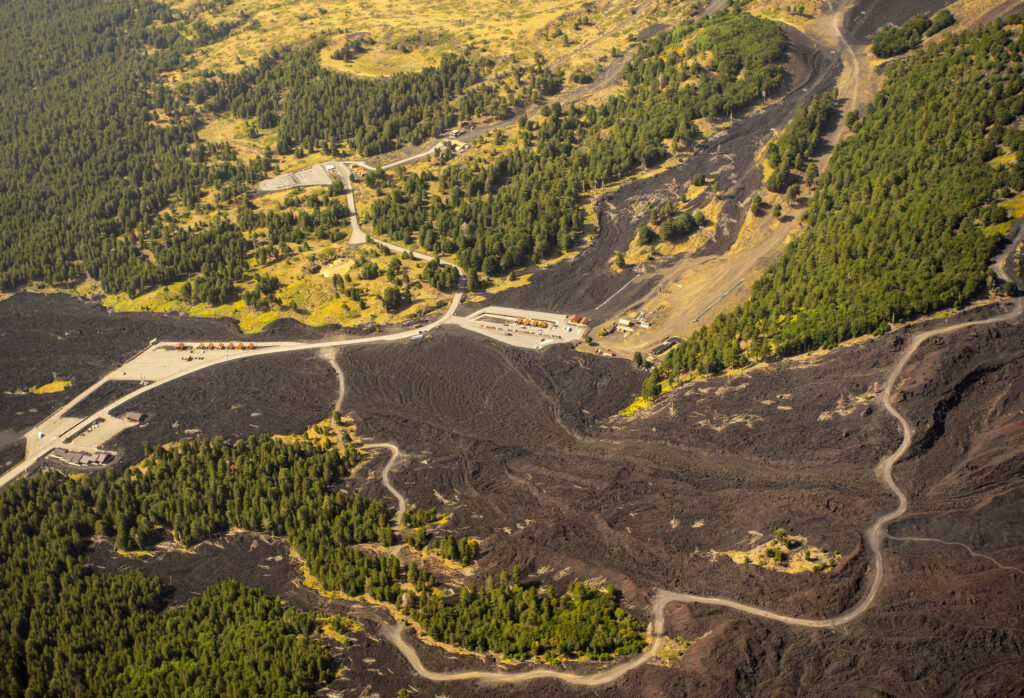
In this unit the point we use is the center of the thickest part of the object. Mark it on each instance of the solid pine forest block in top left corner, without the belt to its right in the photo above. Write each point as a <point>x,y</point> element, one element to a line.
<point>86,167</point>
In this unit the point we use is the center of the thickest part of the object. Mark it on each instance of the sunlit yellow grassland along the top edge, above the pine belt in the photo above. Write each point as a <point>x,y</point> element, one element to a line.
<point>402,36</point>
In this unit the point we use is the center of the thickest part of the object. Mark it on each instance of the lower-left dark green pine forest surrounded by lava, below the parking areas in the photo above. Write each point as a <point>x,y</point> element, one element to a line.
<point>69,631</point>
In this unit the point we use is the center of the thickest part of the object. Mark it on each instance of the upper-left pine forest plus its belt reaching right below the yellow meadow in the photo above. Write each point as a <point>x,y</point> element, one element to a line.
<point>98,147</point>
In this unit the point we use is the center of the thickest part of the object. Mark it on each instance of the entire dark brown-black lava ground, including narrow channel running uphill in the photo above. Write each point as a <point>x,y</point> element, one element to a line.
<point>531,453</point>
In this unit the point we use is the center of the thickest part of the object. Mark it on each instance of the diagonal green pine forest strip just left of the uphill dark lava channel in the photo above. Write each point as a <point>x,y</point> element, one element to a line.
<point>525,206</point>
